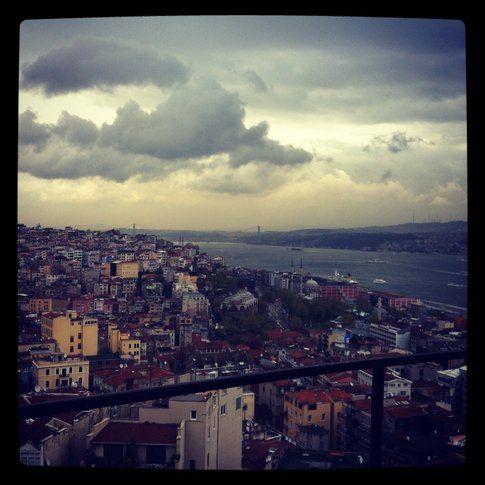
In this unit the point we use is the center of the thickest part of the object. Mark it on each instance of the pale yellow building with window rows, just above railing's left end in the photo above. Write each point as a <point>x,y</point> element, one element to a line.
<point>53,373</point>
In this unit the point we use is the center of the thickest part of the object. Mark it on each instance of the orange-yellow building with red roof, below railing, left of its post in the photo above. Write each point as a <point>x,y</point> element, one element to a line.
<point>314,408</point>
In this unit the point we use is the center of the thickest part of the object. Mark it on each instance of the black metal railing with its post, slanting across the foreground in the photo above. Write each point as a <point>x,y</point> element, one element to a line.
<point>140,395</point>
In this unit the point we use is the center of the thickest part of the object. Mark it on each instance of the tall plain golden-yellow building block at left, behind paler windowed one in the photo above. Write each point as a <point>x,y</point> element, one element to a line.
<point>74,335</point>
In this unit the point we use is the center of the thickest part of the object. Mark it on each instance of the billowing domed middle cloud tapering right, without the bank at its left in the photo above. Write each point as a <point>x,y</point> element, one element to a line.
<point>199,119</point>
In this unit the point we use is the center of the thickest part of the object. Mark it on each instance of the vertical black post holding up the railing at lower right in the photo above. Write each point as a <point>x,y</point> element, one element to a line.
<point>376,416</point>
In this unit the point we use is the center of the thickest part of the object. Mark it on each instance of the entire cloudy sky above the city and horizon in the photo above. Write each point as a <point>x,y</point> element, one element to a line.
<point>230,122</point>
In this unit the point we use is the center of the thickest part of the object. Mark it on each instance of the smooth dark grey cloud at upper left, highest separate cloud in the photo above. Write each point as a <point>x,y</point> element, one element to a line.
<point>100,63</point>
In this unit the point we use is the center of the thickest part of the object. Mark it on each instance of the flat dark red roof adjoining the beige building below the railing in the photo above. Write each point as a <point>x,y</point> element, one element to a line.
<point>140,433</point>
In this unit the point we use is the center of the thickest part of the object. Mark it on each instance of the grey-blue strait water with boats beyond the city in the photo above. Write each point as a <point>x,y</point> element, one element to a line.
<point>424,276</point>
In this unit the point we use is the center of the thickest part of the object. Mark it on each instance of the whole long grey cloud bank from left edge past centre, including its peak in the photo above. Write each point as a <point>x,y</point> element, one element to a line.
<point>199,119</point>
